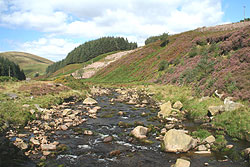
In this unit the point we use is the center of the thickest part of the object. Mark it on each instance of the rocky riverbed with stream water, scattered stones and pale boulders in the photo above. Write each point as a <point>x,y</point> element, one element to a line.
<point>115,128</point>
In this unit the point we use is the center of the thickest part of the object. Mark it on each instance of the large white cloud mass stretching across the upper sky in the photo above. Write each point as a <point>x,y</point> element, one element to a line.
<point>136,19</point>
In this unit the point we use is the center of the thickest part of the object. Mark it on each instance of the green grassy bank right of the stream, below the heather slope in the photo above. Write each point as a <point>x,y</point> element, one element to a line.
<point>234,123</point>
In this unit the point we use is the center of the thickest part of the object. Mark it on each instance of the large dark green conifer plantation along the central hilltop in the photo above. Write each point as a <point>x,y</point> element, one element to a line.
<point>91,49</point>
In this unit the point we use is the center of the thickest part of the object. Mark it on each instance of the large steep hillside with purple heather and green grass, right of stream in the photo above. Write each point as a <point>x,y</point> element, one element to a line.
<point>216,59</point>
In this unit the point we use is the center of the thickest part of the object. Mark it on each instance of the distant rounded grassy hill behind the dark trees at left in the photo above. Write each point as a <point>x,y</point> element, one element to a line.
<point>31,64</point>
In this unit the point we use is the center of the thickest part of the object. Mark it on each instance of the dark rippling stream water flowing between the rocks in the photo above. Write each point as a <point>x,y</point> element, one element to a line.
<point>123,151</point>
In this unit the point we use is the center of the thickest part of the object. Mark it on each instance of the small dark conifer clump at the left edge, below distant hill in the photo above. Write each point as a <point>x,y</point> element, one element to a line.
<point>9,68</point>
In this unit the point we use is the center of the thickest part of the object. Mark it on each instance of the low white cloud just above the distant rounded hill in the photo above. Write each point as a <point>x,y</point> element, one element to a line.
<point>51,48</point>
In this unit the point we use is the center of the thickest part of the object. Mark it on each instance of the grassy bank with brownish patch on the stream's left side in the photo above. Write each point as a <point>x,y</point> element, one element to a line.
<point>15,112</point>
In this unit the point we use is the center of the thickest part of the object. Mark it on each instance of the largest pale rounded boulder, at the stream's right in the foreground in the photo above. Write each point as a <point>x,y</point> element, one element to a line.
<point>177,141</point>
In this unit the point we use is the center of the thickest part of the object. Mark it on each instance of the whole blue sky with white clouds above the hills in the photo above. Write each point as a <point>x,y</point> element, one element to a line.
<point>52,28</point>
